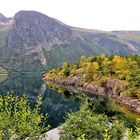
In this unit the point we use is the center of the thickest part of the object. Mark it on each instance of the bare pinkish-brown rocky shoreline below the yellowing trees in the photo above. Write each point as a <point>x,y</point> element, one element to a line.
<point>111,88</point>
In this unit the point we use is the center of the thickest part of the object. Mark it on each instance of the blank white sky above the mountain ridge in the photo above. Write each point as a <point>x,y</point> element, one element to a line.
<point>91,14</point>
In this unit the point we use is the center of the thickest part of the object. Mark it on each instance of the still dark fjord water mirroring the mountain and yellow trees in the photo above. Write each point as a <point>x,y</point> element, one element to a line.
<point>57,104</point>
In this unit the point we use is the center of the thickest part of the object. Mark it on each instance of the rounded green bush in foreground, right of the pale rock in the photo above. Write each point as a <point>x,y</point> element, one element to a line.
<point>87,125</point>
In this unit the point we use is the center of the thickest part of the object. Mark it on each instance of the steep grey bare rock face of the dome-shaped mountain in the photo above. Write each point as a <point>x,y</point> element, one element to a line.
<point>33,28</point>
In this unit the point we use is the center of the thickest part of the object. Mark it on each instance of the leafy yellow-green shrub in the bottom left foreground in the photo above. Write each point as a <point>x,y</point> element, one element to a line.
<point>18,119</point>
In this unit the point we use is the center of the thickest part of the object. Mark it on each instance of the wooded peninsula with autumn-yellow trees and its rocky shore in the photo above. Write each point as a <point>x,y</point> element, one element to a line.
<point>114,76</point>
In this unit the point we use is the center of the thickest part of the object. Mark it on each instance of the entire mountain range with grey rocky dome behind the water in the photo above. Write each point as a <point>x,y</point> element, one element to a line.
<point>31,40</point>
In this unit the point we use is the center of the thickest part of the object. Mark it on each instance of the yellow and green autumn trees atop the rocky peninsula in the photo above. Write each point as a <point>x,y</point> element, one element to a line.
<point>102,68</point>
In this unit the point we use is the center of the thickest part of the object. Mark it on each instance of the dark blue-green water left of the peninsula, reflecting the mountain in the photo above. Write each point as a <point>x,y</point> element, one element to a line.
<point>55,104</point>
